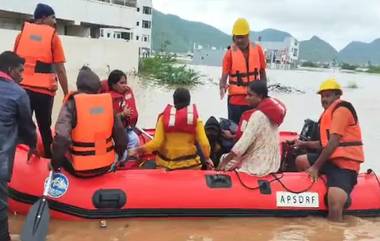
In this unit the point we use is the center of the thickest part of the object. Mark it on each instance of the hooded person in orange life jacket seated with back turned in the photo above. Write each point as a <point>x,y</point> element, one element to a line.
<point>87,131</point>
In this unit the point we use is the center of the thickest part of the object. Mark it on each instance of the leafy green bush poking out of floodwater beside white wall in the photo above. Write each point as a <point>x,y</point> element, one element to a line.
<point>164,69</point>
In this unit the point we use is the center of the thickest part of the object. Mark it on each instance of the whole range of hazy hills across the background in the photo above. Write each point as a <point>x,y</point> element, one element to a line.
<point>178,35</point>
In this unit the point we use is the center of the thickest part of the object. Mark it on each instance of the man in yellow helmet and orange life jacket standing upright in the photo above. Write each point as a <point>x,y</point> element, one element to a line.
<point>243,63</point>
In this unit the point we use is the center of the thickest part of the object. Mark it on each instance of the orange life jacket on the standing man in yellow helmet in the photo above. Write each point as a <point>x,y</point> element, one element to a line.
<point>242,73</point>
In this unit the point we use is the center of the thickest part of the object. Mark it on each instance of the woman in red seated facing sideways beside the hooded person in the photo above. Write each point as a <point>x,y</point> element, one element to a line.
<point>124,104</point>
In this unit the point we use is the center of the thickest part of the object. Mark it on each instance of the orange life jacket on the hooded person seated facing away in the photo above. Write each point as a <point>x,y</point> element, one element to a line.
<point>92,146</point>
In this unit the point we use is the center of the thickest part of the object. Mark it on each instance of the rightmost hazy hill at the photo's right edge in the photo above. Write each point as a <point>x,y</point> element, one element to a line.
<point>361,53</point>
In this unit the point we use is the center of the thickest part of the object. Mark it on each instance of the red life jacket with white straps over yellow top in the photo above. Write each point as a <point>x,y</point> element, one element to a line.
<point>183,120</point>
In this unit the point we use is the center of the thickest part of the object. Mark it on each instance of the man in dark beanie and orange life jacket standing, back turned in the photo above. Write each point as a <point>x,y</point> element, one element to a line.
<point>41,47</point>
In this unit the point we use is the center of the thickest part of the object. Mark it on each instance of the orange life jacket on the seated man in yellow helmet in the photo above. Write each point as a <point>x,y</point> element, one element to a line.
<point>350,145</point>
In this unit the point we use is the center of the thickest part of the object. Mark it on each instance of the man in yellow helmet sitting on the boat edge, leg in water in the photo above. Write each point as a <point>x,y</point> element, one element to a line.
<point>342,148</point>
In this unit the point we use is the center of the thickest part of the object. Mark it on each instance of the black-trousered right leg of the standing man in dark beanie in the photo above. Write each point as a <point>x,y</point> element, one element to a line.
<point>43,110</point>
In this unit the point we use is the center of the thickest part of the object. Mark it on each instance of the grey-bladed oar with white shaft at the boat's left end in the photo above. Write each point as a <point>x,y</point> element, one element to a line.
<point>37,221</point>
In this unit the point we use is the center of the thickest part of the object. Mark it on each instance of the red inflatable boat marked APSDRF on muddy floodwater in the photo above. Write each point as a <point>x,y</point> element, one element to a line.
<point>195,193</point>
